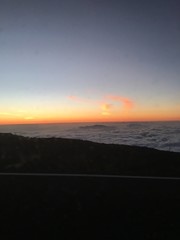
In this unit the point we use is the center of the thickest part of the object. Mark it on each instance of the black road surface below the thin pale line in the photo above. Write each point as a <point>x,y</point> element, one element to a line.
<point>66,207</point>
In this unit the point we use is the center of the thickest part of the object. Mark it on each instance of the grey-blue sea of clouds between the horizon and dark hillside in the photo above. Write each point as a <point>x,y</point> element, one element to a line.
<point>159,135</point>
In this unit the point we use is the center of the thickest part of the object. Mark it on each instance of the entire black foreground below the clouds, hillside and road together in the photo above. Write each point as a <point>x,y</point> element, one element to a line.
<point>86,207</point>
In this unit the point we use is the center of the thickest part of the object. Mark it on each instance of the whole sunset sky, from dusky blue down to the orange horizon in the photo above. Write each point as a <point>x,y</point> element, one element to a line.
<point>89,61</point>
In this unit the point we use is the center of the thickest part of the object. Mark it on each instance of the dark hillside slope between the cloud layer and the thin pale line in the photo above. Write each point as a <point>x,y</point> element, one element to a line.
<point>56,155</point>
